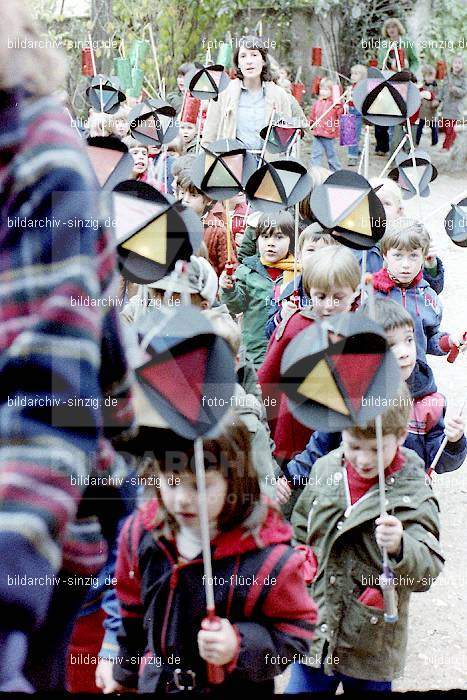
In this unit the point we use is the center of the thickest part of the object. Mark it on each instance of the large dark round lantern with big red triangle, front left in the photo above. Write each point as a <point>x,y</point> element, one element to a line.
<point>186,371</point>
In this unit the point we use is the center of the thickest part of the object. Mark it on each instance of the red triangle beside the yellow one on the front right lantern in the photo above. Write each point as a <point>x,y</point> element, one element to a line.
<point>356,372</point>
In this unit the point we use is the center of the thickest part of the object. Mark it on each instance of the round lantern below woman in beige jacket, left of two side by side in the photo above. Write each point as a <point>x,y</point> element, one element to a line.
<point>223,170</point>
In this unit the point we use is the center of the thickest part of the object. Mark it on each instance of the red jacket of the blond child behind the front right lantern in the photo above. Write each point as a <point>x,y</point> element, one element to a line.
<point>289,435</point>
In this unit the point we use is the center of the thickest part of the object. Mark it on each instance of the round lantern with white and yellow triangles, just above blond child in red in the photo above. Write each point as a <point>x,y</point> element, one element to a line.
<point>347,205</point>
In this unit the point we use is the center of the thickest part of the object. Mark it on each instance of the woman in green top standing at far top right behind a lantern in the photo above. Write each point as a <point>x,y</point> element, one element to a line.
<point>393,31</point>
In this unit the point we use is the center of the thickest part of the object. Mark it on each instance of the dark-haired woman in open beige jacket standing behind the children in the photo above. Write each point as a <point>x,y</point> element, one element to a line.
<point>245,107</point>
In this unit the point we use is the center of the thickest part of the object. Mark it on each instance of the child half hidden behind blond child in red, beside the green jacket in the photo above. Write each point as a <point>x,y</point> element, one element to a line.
<point>311,238</point>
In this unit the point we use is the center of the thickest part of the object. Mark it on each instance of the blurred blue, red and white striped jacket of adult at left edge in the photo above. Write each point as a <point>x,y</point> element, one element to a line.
<point>60,358</point>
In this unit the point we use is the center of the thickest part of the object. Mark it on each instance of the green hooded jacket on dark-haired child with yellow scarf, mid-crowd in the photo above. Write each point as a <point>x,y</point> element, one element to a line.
<point>251,295</point>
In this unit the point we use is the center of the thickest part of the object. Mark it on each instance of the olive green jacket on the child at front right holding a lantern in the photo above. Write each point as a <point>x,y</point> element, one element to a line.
<point>360,643</point>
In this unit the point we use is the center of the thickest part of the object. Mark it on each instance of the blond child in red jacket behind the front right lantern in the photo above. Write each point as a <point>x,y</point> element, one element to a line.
<point>331,280</point>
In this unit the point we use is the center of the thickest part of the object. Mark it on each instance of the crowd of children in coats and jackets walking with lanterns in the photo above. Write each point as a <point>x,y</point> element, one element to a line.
<point>318,603</point>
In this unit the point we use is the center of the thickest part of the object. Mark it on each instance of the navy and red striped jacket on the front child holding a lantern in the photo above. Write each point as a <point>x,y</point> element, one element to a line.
<point>259,584</point>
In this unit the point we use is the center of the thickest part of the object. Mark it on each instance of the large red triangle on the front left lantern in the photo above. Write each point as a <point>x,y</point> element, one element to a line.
<point>180,380</point>
